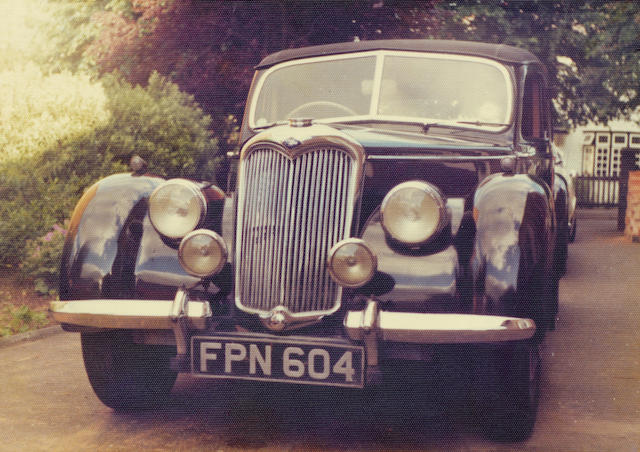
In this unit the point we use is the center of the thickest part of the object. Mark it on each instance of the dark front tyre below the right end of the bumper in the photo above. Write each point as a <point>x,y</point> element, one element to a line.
<point>509,391</point>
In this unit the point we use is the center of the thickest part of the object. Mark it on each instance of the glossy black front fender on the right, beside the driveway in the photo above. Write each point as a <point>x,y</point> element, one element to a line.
<point>512,250</point>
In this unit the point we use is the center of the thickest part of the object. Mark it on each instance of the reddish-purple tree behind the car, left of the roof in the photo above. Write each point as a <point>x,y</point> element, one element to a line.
<point>209,48</point>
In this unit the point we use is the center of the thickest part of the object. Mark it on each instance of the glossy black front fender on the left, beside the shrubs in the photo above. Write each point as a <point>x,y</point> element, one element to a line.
<point>113,251</point>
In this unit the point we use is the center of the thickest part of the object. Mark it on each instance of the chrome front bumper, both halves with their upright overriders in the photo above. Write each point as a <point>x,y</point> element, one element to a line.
<point>367,328</point>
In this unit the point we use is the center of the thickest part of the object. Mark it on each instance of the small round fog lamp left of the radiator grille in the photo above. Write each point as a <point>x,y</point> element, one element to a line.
<point>202,253</point>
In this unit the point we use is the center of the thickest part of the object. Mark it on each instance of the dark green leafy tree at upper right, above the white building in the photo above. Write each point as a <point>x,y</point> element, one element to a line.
<point>589,46</point>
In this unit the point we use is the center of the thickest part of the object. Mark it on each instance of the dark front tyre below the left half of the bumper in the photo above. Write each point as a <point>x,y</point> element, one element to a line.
<point>125,375</point>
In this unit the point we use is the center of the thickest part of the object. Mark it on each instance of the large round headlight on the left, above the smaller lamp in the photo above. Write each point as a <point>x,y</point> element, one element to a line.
<point>176,208</point>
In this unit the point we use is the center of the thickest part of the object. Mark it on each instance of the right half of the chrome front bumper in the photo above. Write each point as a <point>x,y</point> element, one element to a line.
<point>420,328</point>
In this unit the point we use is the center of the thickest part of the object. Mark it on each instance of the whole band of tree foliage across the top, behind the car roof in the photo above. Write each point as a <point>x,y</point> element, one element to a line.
<point>209,48</point>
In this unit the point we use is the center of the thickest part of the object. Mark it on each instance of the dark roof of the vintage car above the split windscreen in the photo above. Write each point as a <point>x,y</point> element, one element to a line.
<point>499,52</point>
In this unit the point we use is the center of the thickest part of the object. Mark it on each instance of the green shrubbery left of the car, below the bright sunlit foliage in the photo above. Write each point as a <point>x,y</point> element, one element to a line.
<point>158,122</point>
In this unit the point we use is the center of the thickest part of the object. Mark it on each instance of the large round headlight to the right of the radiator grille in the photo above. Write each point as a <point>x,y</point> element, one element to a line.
<point>413,212</point>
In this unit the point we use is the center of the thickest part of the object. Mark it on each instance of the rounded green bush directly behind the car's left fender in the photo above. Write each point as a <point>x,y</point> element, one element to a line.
<point>161,124</point>
